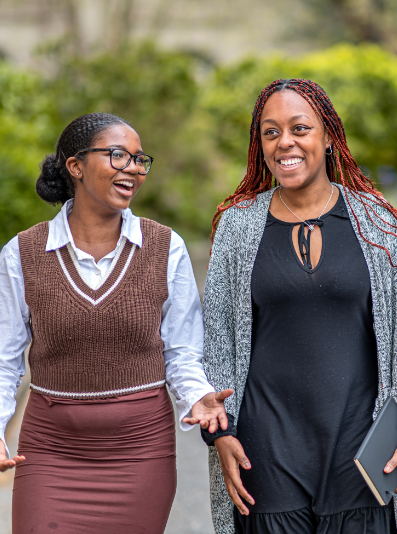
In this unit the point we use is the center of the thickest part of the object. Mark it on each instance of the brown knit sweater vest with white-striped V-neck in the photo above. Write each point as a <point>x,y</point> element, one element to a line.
<point>109,345</point>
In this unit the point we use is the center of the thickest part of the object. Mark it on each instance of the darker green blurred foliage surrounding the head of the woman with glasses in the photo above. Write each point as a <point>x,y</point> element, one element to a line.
<point>156,91</point>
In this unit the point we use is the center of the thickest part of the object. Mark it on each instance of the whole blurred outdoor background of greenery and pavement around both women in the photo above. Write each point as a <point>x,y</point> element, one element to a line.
<point>186,75</point>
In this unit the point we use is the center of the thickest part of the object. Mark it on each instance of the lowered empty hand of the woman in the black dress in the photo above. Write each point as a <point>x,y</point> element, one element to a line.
<point>231,455</point>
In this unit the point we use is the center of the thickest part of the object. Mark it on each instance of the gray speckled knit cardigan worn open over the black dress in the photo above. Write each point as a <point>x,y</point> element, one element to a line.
<point>228,314</point>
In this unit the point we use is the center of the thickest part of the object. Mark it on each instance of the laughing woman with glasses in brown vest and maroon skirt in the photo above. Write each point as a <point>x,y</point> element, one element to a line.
<point>109,303</point>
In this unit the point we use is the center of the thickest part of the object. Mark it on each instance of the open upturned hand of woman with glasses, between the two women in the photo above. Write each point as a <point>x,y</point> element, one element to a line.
<point>209,410</point>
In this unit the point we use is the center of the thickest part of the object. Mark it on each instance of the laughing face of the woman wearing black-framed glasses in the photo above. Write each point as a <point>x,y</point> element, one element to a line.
<point>97,183</point>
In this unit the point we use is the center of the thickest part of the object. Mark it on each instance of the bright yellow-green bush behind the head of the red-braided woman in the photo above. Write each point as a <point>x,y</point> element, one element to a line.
<point>360,81</point>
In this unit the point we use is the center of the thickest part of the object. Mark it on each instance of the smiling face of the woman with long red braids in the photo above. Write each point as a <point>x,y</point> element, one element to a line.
<point>294,140</point>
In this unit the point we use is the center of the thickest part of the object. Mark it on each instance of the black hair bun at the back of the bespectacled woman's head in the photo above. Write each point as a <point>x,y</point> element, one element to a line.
<point>50,185</point>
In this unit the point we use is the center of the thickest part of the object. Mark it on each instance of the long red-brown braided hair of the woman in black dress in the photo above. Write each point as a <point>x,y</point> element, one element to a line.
<point>341,166</point>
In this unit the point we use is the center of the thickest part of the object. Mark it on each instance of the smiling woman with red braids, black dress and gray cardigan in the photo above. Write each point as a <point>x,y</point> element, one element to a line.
<point>300,318</point>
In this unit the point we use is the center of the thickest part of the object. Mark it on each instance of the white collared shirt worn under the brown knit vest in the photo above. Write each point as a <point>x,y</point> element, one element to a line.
<point>181,326</point>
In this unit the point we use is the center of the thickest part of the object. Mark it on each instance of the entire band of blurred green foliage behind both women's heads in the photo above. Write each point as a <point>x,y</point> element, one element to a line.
<point>197,129</point>
